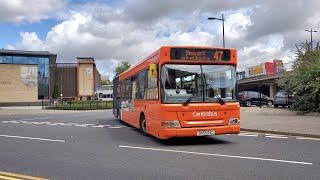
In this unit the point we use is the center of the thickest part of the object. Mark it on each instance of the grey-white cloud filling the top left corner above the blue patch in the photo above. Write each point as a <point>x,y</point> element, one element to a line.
<point>19,11</point>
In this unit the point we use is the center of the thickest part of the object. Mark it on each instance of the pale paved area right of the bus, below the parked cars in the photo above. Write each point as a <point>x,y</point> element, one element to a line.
<point>279,121</point>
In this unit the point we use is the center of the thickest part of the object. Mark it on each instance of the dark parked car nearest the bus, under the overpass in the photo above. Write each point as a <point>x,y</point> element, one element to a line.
<point>249,98</point>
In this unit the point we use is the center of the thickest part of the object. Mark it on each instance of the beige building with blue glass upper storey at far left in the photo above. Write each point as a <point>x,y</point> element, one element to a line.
<point>25,76</point>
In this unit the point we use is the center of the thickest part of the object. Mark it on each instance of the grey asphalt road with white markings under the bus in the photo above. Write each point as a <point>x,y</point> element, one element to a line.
<point>93,145</point>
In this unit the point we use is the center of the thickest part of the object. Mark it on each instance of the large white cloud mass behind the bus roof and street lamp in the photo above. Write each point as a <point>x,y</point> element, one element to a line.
<point>112,34</point>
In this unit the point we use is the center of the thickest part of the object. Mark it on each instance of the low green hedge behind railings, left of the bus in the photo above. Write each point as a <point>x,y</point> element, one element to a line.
<point>83,105</point>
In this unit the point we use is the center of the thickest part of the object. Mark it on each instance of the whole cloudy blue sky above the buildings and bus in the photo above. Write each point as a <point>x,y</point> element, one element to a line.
<point>112,31</point>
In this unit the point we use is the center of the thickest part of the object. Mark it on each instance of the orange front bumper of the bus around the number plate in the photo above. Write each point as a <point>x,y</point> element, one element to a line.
<point>193,132</point>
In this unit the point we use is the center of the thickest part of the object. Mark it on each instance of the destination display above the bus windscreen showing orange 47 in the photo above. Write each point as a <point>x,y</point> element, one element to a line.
<point>200,54</point>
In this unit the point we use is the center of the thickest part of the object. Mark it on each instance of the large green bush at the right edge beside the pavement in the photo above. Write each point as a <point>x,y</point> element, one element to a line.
<point>304,81</point>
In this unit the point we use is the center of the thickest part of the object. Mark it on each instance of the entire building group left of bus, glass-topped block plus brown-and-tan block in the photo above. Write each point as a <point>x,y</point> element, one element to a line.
<point>33,76</point>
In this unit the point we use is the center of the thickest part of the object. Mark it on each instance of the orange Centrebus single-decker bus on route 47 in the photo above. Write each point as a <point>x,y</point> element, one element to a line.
<point>180,91</point>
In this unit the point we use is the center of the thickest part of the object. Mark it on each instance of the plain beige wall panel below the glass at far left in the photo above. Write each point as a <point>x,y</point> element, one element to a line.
<point>18,83</point>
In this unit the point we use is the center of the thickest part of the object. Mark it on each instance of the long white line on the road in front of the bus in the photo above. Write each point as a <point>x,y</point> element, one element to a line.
<point>218,155</point>
